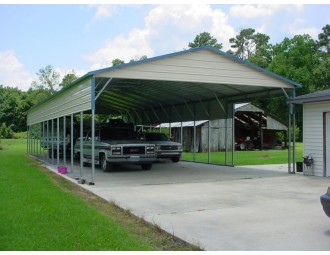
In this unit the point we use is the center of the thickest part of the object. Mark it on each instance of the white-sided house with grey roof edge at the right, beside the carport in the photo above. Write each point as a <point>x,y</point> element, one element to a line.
<point>316,130</point>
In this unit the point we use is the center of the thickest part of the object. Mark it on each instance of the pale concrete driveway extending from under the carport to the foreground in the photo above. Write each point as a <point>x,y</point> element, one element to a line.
<point>224,208</point>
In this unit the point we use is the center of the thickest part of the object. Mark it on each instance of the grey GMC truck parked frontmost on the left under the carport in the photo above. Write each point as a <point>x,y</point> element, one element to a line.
<point>116,144</point>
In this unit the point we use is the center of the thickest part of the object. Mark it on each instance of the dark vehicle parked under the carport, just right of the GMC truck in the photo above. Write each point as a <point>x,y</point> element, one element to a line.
<point>165,148</point>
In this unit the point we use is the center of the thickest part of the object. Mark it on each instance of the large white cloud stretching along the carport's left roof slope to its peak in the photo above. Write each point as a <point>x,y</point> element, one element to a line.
<point>167,28</point>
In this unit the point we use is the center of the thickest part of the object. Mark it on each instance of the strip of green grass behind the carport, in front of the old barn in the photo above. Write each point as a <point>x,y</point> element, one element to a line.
<point>247,157</point>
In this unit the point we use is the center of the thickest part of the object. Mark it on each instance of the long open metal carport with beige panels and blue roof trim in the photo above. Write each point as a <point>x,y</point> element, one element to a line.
<point>197,84</point>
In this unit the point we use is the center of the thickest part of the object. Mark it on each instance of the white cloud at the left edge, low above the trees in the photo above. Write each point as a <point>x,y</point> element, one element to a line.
<point>13,73</point>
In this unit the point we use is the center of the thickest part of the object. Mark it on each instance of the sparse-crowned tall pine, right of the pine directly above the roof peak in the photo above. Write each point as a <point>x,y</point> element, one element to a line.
<point>248,43</point>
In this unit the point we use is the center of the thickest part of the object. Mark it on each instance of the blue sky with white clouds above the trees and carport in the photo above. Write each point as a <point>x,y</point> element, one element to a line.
<point>85,37</point>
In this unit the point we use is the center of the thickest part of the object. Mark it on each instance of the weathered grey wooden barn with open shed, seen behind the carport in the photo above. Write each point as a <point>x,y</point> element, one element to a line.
<point>253,129</point>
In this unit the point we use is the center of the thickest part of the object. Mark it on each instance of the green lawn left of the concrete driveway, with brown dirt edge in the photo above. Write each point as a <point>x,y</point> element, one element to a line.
<point>42,211</point>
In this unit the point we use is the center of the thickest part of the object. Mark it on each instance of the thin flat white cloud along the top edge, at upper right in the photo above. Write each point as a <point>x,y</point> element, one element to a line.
<point>249,11</point>
